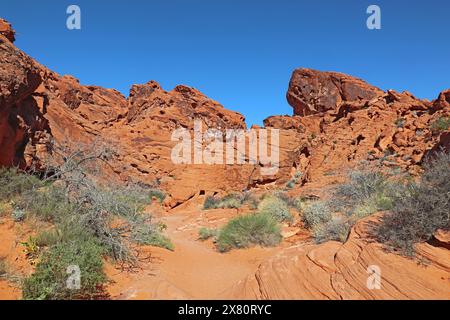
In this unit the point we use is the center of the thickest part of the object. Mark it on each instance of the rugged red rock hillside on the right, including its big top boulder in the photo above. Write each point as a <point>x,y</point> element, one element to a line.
<point>345,121</point>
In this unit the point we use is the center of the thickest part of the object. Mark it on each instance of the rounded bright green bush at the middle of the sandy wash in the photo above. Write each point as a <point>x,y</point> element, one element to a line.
<point>249,230</point>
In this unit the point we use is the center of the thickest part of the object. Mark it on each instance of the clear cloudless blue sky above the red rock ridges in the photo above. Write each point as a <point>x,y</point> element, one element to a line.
<point>238,52</point>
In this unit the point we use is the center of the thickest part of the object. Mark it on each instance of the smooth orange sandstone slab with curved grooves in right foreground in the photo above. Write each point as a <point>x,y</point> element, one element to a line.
<point>340,271</point>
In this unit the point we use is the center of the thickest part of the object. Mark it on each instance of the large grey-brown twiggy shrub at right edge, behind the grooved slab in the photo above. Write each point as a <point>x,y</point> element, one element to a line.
<point>419,208</point>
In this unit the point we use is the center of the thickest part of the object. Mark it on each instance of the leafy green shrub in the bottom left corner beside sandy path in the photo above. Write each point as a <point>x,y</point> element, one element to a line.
<point>49,279</point>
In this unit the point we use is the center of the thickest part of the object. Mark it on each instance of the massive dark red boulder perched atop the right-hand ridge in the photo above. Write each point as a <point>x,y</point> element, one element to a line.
<point>312,91</point>
